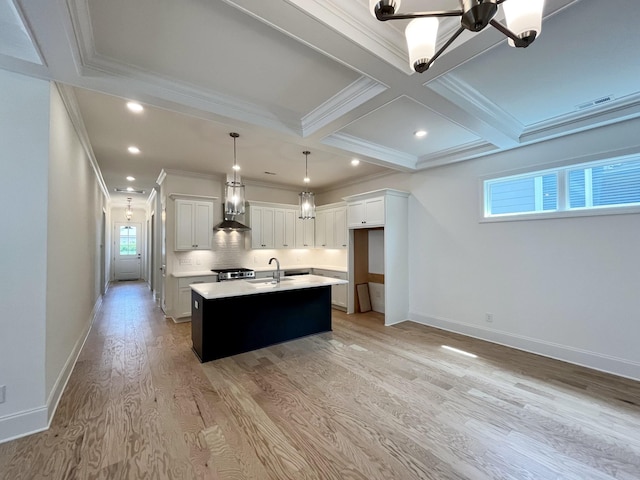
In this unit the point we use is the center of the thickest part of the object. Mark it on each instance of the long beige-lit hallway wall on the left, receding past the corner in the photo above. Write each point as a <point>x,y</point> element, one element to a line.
<point>75,204</point>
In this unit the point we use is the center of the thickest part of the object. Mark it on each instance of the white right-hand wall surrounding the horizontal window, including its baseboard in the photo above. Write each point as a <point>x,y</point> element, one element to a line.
<point>567,288</point>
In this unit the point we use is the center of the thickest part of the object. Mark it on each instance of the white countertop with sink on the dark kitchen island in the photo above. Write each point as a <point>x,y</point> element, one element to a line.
<point>238,288</point>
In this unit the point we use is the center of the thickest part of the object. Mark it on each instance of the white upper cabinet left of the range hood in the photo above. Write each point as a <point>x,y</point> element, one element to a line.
<point>194,224</point>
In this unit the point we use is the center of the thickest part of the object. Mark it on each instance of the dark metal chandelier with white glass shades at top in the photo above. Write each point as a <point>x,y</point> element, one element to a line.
<point>523,17</point>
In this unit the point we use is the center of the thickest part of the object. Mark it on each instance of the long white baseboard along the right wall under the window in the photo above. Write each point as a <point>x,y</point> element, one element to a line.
<point>597,361</point>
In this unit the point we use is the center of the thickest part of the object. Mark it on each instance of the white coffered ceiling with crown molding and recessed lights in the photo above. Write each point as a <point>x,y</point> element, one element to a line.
<point>322,75</point>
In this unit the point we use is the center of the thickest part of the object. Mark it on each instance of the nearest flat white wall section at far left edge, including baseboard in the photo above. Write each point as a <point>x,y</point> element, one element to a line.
<point>24,143</point>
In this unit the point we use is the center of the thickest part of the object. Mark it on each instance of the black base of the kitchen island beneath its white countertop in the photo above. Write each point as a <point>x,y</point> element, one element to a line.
<point>228,326</point>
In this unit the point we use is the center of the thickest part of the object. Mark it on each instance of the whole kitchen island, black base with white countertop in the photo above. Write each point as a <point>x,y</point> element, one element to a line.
<point>233,317</point>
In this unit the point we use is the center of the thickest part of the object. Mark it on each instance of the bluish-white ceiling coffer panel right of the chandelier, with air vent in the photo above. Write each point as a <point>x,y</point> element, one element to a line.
<point>559,75</point>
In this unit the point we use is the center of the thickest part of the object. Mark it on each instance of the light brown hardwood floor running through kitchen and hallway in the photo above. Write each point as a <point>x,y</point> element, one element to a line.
<point>364,402</point>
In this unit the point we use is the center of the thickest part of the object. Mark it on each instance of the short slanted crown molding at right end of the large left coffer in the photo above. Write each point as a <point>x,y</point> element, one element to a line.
<point>343,102</point>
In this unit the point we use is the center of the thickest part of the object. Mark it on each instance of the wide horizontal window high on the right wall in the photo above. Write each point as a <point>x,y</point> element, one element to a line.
<point>596,185</point>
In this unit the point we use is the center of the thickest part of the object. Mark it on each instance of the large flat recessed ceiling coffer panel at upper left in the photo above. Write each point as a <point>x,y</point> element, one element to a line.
<point>211,46</point>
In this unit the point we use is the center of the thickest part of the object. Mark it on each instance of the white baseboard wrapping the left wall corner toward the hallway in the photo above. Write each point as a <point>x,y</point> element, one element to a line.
<point>39,419</point>
